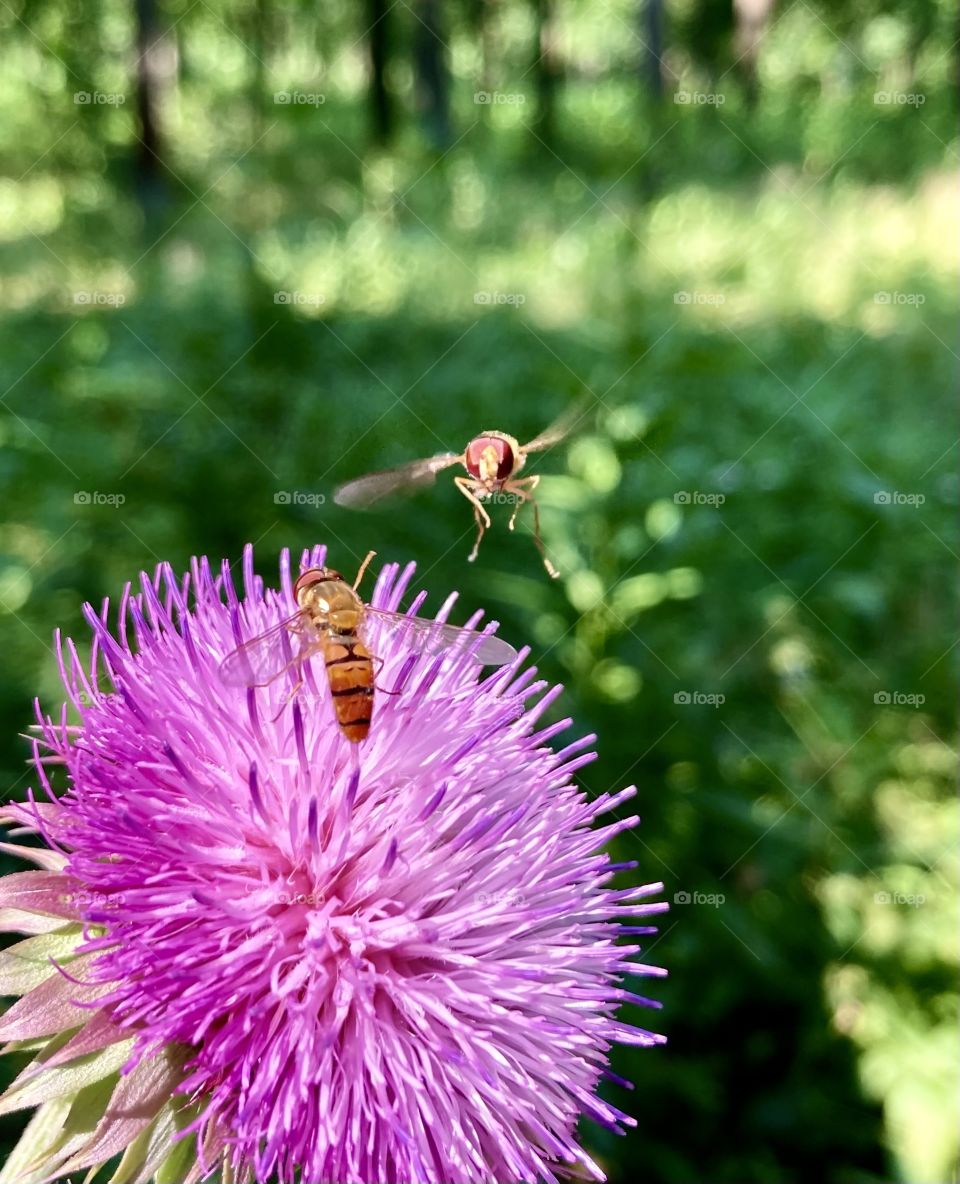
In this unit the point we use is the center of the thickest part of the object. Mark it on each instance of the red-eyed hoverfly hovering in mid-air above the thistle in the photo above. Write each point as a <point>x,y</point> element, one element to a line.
<point>493,461</point>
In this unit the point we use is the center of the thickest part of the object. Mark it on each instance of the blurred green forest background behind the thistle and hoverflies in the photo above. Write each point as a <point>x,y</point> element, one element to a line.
<point>254,248</point>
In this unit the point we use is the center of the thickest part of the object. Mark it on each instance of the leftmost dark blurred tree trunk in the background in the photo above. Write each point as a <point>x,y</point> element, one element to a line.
<point>156,67</point>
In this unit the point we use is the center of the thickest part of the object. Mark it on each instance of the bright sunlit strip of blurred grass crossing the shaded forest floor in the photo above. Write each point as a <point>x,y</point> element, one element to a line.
<point>862,255</point>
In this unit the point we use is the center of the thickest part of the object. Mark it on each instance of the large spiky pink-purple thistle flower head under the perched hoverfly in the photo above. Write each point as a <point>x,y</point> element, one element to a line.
<point>394,962</point>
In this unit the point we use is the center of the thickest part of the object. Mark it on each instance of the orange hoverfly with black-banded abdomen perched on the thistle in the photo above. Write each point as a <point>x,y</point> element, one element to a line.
<point>331,621</point>
